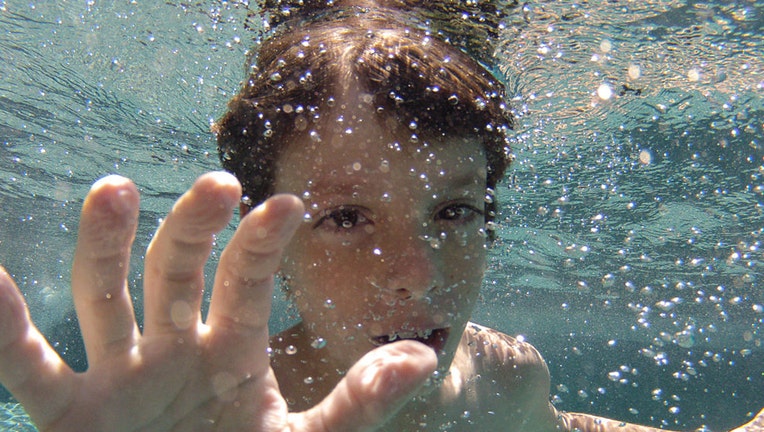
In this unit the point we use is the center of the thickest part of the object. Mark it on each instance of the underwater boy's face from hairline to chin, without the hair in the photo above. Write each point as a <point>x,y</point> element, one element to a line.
<point>393,244</point>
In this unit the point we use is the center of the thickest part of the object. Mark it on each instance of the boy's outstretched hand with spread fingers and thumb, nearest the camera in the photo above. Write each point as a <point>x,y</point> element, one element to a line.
<point>181,373</point>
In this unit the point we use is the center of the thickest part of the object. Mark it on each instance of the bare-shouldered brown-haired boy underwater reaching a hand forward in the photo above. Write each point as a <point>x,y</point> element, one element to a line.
<point>389,139</point>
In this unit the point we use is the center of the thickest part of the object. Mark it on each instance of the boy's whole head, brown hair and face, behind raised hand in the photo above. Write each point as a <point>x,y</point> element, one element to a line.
<point>391,138</point>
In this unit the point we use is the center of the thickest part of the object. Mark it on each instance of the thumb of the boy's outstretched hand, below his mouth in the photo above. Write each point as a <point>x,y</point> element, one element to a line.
<point>374,389</point>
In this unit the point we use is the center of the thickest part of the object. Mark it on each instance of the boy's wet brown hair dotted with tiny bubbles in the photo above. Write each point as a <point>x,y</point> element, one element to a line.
<point>302,71</point>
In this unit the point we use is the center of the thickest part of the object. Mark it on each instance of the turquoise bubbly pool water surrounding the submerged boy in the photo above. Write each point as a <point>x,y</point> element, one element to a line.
<point>630,250</point>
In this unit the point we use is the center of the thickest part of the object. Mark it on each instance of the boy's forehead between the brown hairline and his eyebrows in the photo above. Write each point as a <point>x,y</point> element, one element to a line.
<point>353,143</point>
